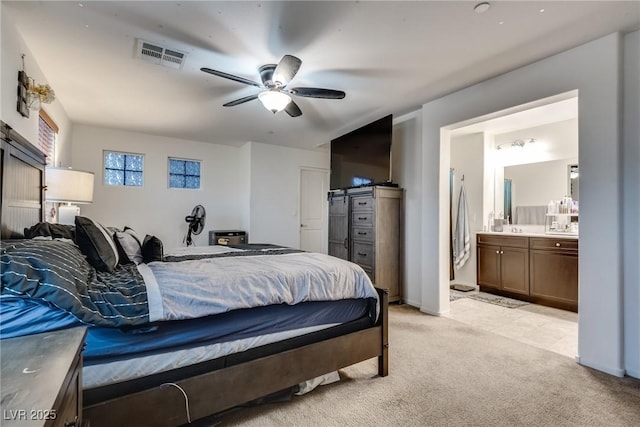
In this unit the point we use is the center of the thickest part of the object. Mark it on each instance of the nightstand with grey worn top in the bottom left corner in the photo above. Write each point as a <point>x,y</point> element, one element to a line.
<point>42,379</point>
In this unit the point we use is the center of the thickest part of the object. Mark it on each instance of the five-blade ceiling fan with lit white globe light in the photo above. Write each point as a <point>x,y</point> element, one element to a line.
<point>276,96</point>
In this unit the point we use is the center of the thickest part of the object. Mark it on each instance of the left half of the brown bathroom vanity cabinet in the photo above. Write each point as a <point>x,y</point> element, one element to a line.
<point>503,263</point>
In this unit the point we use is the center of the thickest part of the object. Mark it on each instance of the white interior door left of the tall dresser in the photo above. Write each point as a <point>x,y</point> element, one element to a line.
<point>314,185</point>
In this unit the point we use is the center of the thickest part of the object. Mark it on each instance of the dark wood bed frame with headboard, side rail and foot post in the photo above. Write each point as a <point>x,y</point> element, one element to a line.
<point>22,170</point>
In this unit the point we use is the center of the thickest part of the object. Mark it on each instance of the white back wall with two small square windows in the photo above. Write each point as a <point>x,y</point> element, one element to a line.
<point>154,208</point>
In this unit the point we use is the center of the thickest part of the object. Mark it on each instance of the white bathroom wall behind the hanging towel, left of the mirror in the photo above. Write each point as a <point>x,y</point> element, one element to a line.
<point>467,153</point>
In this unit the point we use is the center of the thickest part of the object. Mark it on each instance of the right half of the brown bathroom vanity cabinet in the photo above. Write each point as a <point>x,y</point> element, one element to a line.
<point>554,271</point>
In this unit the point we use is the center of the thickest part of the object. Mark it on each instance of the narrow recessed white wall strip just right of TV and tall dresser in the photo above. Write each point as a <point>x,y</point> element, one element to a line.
<point>406,172</point>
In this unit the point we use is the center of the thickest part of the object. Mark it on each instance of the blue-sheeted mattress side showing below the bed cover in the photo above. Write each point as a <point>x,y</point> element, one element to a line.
<point>25,317</point>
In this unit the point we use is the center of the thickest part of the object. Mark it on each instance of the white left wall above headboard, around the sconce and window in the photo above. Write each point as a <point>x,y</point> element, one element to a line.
<point>13,47</point>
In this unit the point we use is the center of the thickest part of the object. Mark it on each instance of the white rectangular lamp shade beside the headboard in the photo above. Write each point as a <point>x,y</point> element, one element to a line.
<point>69,185</point>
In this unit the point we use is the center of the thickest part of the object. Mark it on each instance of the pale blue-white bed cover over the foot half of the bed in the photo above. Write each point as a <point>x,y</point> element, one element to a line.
<point>199,288</point>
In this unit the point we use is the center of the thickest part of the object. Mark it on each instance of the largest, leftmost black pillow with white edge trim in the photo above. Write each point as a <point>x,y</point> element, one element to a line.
<point>96,244</point>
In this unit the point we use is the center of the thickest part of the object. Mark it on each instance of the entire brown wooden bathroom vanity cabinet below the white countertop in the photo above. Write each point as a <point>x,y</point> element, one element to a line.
<point>542,270</point>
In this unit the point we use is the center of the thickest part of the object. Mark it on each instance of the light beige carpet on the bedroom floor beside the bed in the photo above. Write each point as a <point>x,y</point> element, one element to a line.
<point>444,373</point>
